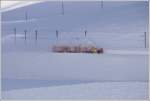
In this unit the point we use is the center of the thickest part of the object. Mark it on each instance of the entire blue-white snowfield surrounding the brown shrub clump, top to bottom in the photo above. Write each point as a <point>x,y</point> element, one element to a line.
<point>31,71</point>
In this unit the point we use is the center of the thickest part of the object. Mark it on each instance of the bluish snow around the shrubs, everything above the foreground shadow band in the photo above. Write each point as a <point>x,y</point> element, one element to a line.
<point>118,25</point>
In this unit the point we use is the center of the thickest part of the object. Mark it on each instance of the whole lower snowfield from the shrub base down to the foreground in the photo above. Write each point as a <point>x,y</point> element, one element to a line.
<point>74,76</point>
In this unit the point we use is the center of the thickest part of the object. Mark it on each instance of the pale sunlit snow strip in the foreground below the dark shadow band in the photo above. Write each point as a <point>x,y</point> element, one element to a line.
<point>98,90</point>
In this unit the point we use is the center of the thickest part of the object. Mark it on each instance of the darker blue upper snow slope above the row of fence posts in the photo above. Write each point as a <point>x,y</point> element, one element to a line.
<point>81,14</point>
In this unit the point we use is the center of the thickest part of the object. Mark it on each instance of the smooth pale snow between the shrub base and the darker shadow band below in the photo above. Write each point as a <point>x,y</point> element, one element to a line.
<point>58,66</point>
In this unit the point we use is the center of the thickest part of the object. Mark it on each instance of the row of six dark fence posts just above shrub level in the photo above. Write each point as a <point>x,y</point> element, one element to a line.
<point>57,35</point>
